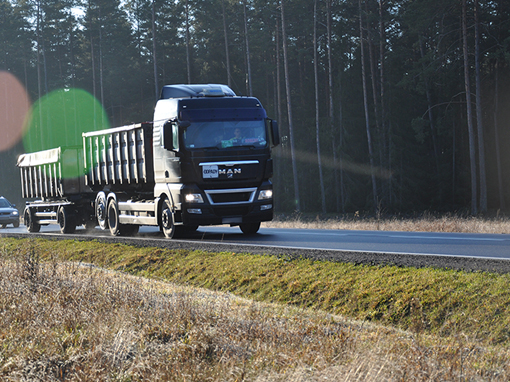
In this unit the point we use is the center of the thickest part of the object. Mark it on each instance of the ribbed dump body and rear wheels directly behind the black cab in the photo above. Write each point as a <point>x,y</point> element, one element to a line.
<point>119,165</point>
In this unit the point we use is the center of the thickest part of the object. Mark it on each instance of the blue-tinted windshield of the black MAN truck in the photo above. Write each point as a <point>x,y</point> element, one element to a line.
<point>223,134</point>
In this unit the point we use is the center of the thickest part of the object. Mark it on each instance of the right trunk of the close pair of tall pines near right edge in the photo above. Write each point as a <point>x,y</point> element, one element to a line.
<point>481,142</point>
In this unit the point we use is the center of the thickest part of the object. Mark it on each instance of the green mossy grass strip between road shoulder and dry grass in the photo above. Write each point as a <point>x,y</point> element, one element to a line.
<point>438,301</point>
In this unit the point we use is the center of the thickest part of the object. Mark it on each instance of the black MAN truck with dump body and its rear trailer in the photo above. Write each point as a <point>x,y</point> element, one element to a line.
<point>205,159</point>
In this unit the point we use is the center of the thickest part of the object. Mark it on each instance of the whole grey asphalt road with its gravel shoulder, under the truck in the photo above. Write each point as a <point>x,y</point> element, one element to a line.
<point>472,252</point>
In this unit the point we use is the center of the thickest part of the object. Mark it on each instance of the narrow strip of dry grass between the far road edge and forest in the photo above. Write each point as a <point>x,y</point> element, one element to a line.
<point>424,223</point>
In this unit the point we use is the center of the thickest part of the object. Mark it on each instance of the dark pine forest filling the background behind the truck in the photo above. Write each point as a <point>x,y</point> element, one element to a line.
<point>394,106</point>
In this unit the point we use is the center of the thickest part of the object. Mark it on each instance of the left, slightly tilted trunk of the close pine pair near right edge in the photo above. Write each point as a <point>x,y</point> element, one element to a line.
<point>471,133</point>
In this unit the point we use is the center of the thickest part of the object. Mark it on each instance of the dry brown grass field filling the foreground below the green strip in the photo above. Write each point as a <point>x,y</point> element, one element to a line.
<point>75,322</point>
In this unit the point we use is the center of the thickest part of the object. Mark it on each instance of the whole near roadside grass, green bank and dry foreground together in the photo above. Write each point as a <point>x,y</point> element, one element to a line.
<point>68,322</point>
